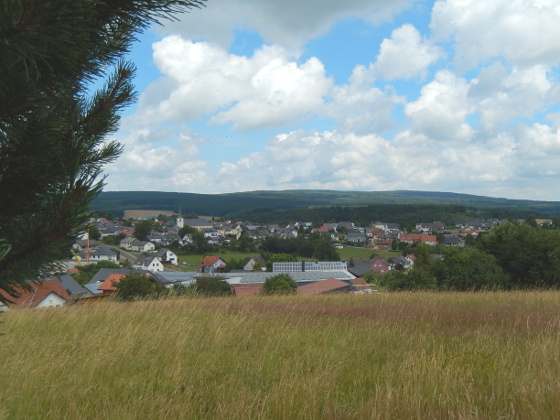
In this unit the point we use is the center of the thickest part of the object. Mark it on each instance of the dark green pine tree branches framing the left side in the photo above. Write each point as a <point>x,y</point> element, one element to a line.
<point>53,130</point>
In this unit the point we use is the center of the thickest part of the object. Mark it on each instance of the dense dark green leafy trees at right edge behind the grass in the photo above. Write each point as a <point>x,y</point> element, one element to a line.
<point>511,256</point>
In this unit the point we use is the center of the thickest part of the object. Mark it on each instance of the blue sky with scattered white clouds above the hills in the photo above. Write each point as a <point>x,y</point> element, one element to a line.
<point>360,95</point>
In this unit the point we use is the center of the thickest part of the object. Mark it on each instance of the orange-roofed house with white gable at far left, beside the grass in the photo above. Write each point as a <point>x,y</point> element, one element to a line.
<point>41,294</point>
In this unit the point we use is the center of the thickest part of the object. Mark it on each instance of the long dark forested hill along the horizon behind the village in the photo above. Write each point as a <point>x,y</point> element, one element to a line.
<point>281,204</point>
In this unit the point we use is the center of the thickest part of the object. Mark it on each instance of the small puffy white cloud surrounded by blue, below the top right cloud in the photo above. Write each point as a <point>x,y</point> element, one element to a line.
<point>405,55</point>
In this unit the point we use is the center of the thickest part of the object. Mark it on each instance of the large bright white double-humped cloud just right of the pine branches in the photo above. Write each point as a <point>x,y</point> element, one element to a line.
<point>269,88</point>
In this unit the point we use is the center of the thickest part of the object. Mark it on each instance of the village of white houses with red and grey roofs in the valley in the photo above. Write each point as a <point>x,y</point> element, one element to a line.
<point>153,256</point>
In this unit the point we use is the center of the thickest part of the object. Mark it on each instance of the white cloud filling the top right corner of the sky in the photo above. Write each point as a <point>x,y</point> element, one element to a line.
<point>521,31</point>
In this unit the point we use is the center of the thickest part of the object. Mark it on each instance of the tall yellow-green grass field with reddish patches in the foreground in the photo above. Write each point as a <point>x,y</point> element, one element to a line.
<point>380,356</point>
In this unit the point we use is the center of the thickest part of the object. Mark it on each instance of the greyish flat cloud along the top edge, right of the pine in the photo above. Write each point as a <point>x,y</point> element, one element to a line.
<point>289,23</point>
